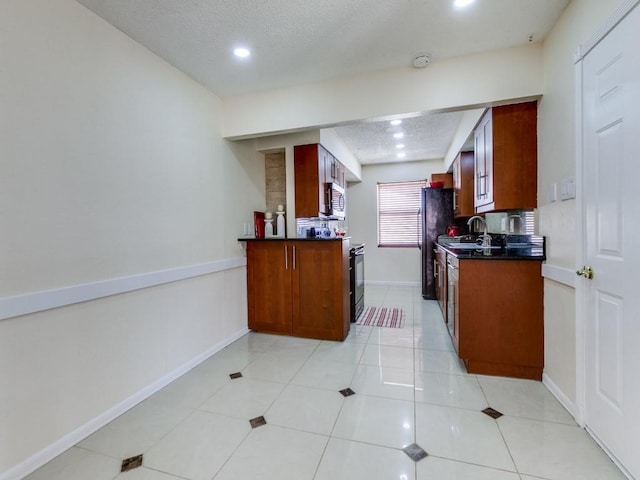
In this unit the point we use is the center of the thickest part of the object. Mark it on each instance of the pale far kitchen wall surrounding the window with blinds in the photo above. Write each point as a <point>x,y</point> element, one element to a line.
<point>384,265</point>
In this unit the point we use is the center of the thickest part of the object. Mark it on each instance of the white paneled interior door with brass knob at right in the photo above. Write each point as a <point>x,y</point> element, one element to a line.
<point>611,201</point>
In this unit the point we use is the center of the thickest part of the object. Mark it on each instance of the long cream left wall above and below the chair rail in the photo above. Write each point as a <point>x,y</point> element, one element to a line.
<point>112,165</point>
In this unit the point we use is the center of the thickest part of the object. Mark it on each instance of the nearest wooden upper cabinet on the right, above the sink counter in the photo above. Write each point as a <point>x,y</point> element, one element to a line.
<point>505,176</point>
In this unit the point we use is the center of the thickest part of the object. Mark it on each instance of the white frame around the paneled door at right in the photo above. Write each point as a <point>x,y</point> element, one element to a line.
<point>581,288</point>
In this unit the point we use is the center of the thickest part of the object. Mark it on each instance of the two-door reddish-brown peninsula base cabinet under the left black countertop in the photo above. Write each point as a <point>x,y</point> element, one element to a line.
<point>299,287</point>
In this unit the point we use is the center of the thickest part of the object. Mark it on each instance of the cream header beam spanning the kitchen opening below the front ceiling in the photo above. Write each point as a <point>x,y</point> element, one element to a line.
<point>463,82</point>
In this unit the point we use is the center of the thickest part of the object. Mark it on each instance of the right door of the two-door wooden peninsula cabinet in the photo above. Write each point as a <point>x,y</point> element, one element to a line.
<point>317,289</point>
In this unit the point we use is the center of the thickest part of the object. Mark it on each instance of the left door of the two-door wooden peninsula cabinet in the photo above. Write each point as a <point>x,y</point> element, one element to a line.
<point>269,286</point>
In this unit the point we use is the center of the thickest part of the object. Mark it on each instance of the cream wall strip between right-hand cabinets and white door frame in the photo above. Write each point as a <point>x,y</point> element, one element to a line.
<point>556,160</point>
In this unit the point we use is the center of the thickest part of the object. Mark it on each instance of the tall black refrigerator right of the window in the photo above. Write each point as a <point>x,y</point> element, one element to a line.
<point>436,215</point>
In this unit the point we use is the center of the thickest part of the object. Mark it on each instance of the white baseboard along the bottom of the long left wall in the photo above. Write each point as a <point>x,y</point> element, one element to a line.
<point>47,454</point>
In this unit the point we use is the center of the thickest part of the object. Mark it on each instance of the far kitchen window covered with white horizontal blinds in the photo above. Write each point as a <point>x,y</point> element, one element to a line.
<point>399,223</point>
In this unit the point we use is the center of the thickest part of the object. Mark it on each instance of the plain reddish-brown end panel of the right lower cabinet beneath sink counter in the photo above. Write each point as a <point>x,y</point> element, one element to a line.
<point>499,317</point>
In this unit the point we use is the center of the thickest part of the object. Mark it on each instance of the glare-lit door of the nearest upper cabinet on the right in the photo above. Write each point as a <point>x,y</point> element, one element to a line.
<point>483,185</point>
